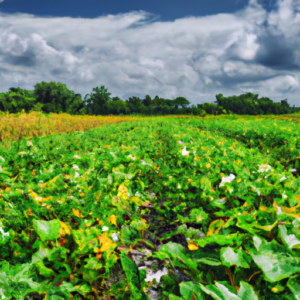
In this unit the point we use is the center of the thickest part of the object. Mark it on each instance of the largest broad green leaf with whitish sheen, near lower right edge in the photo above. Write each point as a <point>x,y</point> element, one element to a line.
<point>275,261</point>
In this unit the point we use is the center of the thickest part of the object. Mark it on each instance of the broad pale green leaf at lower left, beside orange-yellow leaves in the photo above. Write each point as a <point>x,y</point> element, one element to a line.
<point>47,230</point>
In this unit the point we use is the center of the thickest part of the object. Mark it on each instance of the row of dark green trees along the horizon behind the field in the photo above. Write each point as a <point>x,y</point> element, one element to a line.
<point>57,98</point>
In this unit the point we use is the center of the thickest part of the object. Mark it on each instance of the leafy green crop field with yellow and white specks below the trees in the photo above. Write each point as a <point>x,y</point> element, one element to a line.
<point>151,208</point>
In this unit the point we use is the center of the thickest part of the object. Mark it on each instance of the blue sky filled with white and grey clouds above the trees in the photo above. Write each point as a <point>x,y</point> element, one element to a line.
<point>194,48</point>
